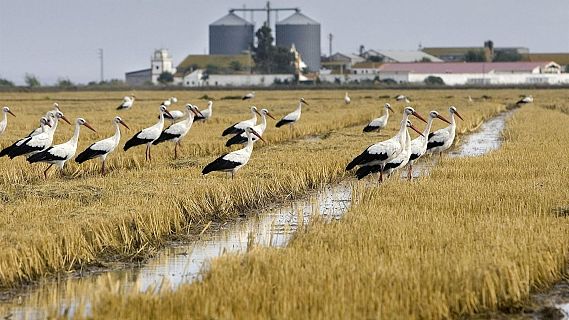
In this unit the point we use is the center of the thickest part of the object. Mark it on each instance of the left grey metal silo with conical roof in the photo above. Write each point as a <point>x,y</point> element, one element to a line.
<point>230,35</point>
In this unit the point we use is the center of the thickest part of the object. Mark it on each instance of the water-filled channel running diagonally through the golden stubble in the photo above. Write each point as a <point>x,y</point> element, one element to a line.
<point>182,263</point>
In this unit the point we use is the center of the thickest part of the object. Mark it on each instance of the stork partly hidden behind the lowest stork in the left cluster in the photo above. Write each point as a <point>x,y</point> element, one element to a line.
<point>34,144</point>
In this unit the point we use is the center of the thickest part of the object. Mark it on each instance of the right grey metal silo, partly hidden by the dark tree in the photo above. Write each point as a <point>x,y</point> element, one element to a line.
<point>305,34</point>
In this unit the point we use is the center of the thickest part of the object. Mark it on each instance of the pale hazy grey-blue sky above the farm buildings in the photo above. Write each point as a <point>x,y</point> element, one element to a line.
<point>60,38</point>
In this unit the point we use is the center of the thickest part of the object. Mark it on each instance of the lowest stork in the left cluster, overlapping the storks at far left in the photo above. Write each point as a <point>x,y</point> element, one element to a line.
<point>59,154</point>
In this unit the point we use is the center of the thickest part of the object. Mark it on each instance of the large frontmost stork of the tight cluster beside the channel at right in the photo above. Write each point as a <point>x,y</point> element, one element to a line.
<point>381,153</point>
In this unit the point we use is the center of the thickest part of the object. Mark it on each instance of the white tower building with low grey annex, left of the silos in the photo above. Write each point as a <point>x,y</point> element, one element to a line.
<point>161,61</point>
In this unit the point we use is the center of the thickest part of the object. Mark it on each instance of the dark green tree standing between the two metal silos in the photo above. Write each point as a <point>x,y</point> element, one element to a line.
<point>269,58</point>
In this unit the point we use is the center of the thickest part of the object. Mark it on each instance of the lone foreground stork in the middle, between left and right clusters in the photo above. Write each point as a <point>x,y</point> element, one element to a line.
<point>233,161</point>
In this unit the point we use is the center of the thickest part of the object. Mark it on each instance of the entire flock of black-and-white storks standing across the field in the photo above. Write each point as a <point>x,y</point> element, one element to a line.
<point>383,157</point>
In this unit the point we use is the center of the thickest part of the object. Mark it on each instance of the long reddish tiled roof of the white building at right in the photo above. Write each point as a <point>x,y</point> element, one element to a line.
<point>462,67</point>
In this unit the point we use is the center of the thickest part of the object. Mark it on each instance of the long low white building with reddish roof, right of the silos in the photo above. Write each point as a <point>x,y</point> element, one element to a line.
<point>476,73</point>
